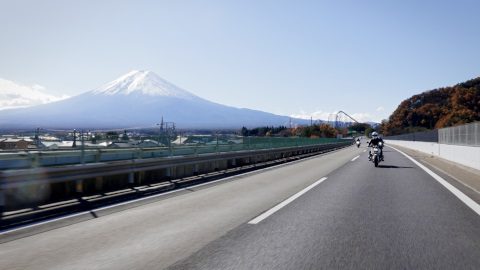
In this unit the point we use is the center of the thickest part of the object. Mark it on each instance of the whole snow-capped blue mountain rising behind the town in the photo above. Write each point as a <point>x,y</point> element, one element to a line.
<point>135,100</point>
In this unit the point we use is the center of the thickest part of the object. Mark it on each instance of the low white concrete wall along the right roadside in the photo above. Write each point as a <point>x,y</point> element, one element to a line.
<point>465,155</point>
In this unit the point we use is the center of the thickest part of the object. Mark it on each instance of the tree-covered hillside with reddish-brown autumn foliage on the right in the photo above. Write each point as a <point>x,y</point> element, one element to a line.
<point>438,108</point>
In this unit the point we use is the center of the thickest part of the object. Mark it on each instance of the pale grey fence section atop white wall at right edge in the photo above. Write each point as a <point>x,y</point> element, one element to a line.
<point>468,135</point>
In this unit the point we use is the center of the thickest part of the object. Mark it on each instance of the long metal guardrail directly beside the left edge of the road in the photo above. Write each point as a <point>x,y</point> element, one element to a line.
<point>38,208</point>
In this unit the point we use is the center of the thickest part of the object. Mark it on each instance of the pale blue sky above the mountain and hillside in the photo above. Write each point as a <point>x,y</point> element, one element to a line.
<point>286,57</point>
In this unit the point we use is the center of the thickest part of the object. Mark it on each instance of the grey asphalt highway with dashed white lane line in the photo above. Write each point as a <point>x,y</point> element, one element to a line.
<point>334,211</point>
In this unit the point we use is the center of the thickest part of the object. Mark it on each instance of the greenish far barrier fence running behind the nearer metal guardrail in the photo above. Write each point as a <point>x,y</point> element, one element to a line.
<point>33,159</point>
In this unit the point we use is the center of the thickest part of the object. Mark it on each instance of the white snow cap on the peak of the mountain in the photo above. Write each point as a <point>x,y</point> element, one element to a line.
<point>143,82</point>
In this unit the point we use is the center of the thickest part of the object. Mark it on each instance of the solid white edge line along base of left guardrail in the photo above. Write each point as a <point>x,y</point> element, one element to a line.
<point>156,195</point>
